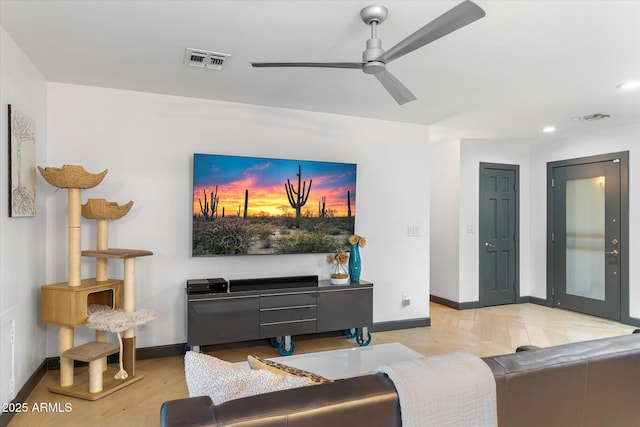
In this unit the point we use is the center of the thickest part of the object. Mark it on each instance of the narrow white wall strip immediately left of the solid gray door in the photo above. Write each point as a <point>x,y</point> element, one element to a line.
<point>445,220</point>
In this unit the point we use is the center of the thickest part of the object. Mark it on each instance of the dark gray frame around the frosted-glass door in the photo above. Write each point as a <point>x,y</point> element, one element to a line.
<point>623,156</point>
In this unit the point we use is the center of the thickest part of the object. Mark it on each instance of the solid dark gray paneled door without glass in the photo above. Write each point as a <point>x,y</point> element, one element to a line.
<point>498,234</point>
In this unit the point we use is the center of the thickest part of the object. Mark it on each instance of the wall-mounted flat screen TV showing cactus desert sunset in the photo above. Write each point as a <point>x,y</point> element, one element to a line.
<point>251,205</point>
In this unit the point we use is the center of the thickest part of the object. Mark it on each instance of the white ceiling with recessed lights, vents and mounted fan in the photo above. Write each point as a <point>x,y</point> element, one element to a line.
<point>525,65</point>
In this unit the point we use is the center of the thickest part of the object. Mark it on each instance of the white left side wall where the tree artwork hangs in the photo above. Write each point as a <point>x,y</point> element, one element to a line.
<point>22,240</point>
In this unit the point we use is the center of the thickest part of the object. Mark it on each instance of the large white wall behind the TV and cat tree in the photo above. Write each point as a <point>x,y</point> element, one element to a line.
<point>147,142</point>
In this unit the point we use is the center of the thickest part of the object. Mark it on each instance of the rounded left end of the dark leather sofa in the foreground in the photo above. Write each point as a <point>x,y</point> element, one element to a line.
<point>193,411</point>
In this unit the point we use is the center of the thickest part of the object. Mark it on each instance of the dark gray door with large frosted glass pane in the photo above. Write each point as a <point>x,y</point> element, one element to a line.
<point>587,236</point>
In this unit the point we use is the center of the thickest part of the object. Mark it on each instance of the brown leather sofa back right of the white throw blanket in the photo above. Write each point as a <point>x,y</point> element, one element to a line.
<point>594,380</point>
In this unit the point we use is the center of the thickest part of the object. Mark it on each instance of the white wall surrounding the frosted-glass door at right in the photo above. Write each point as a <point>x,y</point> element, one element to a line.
<point>588,144</point>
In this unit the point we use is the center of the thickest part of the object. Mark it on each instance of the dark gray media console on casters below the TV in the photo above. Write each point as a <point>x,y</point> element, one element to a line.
<point>276,309</point>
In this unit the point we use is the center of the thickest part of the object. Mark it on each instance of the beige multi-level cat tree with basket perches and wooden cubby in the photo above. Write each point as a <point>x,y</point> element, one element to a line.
<point>103,304</point>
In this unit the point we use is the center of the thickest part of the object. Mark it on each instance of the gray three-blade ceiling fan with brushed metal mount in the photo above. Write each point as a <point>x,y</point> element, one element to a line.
<point>375,59</point>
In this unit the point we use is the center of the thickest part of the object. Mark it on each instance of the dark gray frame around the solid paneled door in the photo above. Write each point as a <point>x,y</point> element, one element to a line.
<point>516,169</point>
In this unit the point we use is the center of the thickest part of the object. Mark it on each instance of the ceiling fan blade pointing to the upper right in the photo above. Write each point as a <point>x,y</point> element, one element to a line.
<point>463,14</point>
